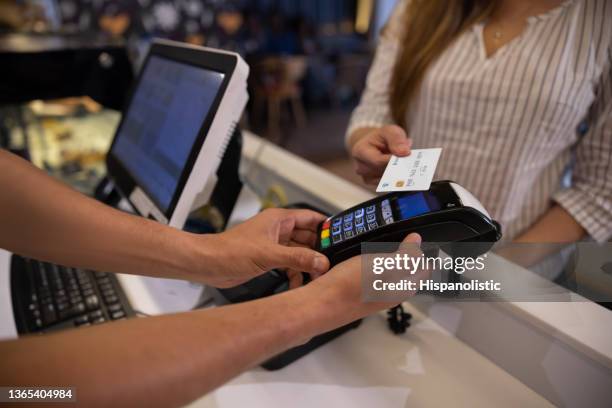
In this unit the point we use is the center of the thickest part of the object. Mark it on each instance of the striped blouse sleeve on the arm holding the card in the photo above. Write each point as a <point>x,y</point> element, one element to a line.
<point>373,109</point>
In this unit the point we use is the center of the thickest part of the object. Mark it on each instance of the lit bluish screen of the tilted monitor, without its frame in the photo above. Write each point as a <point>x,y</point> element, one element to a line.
<point>161,125</point>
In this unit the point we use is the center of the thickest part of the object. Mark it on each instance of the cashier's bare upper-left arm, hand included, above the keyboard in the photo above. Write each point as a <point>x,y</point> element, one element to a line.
<point>44,219</point>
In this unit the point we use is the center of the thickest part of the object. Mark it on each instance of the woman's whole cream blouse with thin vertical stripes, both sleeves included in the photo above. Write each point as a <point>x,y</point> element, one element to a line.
<point>514,124</point>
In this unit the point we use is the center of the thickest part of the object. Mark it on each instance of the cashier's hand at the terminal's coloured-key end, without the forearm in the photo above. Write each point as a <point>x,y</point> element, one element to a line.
<point>275,238</point>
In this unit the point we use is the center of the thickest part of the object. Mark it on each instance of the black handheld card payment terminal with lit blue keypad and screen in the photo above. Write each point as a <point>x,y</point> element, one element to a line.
<point>446,212</point>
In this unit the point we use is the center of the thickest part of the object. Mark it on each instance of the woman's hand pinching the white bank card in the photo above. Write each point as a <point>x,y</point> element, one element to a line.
<point>372,148</point>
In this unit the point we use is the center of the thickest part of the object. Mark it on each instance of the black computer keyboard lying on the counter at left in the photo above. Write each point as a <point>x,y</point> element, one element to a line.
<point>48,297</point>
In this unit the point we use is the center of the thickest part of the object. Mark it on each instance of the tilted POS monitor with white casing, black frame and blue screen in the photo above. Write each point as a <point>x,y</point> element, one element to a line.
<point>179,118</point>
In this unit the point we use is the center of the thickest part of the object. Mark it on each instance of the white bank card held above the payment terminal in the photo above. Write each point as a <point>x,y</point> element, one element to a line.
<point>410,173</point>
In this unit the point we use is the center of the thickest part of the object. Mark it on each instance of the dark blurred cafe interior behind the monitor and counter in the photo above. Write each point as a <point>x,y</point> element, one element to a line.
<point>308,59</point>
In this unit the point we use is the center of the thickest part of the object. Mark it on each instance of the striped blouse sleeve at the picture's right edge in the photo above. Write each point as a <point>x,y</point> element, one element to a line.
<point>589,199</point>
